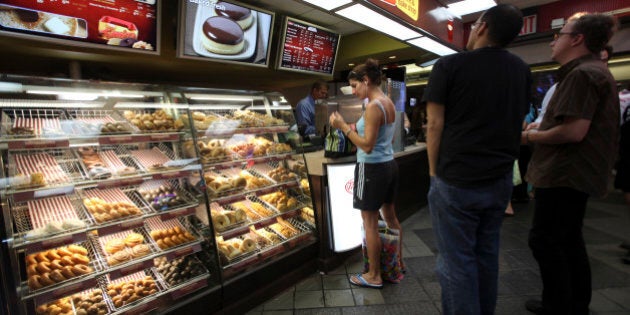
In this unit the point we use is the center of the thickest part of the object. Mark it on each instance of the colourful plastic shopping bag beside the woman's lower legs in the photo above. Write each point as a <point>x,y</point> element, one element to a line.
<point>390,240</point>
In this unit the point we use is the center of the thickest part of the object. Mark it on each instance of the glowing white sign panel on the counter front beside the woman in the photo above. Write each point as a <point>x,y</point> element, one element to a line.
<point>344,221</point>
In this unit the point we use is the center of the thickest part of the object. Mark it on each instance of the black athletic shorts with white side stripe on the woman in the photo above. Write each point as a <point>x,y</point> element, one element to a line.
<point>374,185</point>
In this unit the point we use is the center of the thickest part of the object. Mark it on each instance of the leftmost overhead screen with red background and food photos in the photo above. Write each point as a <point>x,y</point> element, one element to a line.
<point>124,24</point>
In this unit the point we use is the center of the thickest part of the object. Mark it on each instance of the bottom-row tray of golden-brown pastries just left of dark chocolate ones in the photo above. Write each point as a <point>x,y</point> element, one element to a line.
<point>135,293</point>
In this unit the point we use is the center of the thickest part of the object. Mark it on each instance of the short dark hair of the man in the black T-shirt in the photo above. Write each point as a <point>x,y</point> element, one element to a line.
<point>504,22</point>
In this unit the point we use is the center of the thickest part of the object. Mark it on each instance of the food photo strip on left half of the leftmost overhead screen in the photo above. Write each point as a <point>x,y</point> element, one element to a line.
<point>42,22</point>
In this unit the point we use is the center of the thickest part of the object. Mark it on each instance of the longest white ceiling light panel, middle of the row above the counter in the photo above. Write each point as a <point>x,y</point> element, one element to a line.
<point>378,22</point>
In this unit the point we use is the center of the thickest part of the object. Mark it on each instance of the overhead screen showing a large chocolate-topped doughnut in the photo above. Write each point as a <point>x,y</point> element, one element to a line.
<point>225,32</point>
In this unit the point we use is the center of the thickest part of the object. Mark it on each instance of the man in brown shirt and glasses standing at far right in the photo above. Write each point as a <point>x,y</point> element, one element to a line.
<point>574,152</point>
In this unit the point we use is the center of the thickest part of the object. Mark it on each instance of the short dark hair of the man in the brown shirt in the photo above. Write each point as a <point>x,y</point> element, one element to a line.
<point>597,29</point>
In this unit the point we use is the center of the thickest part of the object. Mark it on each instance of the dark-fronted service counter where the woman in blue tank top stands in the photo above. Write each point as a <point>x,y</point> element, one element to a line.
<point>413,188</point>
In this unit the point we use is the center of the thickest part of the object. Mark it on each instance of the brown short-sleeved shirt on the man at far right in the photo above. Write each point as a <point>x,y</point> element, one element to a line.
<point>587,90</point>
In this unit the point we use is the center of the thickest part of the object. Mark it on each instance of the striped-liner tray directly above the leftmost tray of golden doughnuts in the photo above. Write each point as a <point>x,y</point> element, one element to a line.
<point>49,222</point>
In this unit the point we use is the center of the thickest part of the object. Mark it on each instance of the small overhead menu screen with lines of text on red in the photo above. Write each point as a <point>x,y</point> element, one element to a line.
<point>307,47</point>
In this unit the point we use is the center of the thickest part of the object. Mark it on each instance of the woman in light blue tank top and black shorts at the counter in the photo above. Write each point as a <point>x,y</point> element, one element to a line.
<point>376,171</point>
